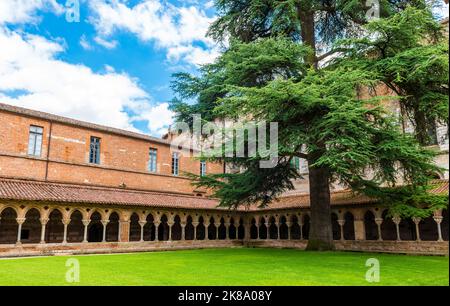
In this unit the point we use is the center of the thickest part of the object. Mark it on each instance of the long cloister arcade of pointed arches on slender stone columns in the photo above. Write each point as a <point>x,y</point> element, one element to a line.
<point>56,224</point>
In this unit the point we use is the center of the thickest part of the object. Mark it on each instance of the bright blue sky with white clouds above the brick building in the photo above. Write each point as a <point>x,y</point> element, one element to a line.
<point>113,67</point>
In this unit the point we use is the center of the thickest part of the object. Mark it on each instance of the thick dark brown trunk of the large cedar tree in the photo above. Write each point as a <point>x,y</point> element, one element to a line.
<point>320,234</point>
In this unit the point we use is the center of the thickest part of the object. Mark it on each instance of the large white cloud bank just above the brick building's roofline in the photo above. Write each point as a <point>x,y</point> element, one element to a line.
<point>29,66</point>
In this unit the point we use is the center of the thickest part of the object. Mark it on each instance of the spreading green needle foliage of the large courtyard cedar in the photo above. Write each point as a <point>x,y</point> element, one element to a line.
<point>266,75</point>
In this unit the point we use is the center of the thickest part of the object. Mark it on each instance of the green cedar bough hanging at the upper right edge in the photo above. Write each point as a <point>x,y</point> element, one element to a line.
<point>410,56</point>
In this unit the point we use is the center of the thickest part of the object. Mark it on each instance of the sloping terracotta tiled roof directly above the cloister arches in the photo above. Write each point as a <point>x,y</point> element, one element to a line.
<point>28,190</point>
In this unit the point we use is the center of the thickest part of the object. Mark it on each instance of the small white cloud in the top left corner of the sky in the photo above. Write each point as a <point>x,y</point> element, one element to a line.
<point>22,11</point>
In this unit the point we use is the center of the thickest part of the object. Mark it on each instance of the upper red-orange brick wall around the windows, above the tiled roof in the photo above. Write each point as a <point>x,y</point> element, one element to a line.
<point>123,159</point>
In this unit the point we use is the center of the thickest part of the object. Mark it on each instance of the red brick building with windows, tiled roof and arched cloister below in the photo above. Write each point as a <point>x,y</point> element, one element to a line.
<point>68,186</point>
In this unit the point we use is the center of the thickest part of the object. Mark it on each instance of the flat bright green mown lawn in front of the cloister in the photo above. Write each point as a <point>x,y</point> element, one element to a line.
<point>237,266</point>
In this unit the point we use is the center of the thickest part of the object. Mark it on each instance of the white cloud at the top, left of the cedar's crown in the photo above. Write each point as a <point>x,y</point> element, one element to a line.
<point>179,30</point>
